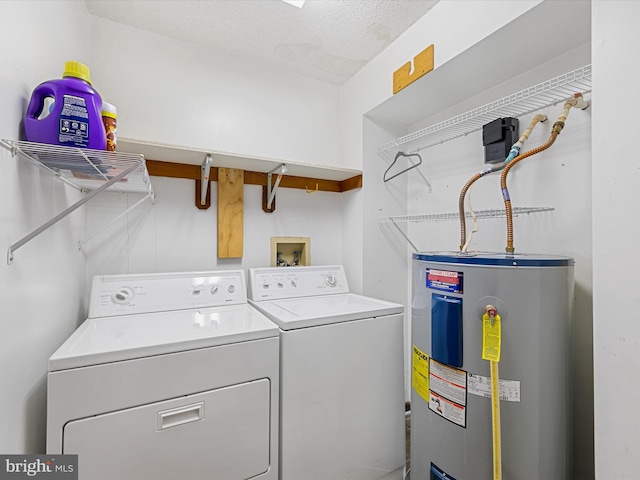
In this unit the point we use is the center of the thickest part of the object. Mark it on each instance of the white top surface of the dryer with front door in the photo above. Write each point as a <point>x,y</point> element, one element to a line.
<point>112,339</point>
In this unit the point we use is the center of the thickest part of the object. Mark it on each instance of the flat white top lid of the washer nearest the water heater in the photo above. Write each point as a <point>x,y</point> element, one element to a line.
<point>294,313</point>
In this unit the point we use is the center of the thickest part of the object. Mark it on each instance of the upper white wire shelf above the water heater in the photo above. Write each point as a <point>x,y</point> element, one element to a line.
<point>517,104</point>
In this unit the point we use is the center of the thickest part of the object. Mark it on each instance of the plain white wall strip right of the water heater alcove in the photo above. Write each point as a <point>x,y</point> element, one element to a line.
<point>616,260</point>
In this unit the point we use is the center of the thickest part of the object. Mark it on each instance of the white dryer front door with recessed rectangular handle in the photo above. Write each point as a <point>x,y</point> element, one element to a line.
<point>221,434</point>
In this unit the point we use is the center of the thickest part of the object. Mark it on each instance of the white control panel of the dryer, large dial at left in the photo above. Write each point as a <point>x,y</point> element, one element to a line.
<point>114,295</point>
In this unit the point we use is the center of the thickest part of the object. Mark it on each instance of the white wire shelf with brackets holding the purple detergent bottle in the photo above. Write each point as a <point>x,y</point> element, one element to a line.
<point>92,171</point>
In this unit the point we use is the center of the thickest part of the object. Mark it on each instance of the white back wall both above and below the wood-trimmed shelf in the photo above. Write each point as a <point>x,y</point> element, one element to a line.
<point>173,92</point>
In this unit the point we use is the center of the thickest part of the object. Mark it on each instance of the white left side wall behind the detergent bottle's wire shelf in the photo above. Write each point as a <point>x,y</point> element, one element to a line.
<point>43,290</point>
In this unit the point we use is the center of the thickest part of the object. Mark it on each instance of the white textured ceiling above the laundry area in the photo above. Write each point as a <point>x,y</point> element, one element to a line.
<point>328,40</point>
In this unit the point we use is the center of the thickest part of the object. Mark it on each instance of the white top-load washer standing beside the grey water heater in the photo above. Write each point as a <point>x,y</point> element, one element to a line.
<point>341,375</point>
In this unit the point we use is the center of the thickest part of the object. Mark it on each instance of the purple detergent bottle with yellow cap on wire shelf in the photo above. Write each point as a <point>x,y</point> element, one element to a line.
<point>74,118</point>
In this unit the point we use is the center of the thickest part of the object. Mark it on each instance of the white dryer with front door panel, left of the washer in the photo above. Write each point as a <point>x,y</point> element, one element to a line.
<point>172,376</point>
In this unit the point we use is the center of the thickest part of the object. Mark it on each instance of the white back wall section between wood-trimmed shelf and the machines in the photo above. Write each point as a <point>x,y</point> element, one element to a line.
<point>173,235</point>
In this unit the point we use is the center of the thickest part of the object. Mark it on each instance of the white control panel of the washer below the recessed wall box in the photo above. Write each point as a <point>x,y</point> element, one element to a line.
<point>293,282</point>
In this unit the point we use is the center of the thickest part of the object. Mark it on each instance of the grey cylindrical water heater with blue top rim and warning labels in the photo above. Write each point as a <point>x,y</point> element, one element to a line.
<point>451,408</point>
